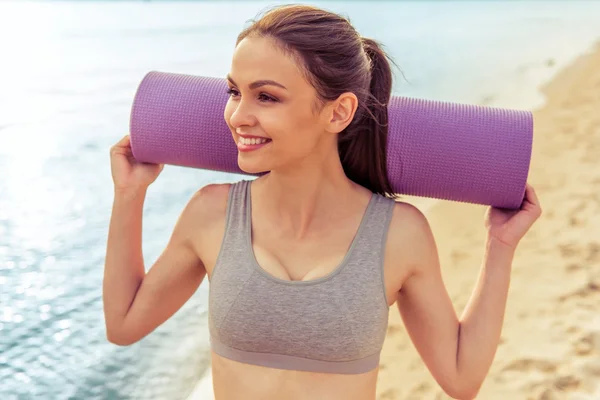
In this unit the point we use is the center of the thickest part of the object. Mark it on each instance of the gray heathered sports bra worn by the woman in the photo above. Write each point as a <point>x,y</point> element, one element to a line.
<point>336,323</point>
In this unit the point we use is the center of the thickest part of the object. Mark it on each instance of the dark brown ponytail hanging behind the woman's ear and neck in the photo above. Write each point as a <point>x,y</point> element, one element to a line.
<point>363,147</point>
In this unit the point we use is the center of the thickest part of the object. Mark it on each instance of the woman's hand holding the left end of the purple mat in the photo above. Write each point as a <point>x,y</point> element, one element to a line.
<point>128,173</point>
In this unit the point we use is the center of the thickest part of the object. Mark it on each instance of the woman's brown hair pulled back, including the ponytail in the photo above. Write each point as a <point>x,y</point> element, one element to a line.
<point>336,59</point>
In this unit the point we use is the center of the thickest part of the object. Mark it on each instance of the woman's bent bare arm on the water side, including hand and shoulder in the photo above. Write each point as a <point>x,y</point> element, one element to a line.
<point>136,302</point>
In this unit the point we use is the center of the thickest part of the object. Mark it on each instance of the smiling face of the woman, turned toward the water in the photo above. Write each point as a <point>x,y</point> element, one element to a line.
<point>271,109</point>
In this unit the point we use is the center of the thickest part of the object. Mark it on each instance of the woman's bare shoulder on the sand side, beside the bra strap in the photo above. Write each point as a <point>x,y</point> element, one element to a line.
<point>410,244</point>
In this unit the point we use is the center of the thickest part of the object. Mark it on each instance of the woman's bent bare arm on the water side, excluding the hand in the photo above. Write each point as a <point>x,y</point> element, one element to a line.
<point>136,302</point>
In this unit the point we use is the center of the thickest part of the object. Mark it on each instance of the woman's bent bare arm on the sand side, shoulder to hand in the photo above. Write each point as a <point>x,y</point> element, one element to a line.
<point>459,352</point>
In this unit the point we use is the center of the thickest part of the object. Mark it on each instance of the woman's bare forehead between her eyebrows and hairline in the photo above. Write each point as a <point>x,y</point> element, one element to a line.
<point>260,58</point>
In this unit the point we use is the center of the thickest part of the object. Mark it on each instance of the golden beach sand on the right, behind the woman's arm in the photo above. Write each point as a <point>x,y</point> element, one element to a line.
<point>550,345</point>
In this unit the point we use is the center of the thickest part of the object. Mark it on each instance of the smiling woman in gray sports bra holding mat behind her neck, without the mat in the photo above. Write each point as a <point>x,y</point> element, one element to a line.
<point>305,261</point>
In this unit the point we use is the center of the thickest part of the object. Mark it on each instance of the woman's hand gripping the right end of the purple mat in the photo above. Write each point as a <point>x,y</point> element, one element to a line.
<point>509,226</point>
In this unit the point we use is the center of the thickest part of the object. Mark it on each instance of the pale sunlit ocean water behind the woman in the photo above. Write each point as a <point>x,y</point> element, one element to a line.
<point>68,74</point>
